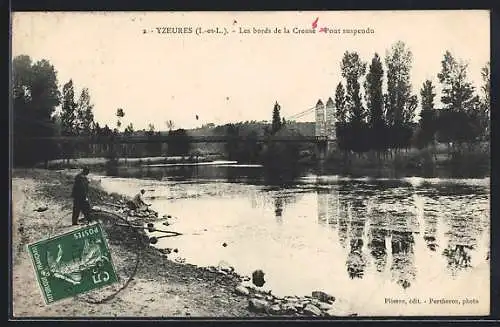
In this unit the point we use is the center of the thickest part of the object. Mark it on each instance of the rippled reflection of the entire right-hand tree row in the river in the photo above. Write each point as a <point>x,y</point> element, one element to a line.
<point>383,227</point>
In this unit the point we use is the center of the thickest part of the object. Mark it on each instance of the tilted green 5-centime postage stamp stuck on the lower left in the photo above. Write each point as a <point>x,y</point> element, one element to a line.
<point>72,263</point>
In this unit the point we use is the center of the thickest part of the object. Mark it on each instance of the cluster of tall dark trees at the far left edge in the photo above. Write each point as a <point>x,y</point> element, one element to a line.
<point>36,96</point>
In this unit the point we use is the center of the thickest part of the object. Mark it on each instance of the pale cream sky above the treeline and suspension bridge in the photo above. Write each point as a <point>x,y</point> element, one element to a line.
<point>156,77</point>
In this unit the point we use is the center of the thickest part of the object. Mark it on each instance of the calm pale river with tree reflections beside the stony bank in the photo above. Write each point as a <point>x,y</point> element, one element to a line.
<point>363,240</point>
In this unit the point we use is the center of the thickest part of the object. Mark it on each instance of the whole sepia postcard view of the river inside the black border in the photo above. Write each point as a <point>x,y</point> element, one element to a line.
<point>292,164</point>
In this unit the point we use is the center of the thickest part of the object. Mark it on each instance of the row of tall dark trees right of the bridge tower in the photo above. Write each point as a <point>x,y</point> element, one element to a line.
<point>387,120</point>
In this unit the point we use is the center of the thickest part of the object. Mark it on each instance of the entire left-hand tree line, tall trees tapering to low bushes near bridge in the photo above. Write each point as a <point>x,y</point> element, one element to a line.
<point>36,100</point>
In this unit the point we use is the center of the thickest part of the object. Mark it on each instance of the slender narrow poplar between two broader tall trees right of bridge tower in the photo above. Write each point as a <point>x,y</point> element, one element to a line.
<point>375,103</point>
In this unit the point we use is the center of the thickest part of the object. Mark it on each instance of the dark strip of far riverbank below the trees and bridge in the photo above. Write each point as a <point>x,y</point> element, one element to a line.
<point>440,161</point>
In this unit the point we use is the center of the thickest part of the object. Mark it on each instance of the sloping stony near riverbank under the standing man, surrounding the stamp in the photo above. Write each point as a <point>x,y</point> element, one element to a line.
<point>158,287</point>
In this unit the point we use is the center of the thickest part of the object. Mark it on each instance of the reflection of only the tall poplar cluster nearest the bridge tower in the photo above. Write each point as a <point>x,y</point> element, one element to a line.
<point>360,225</point>
